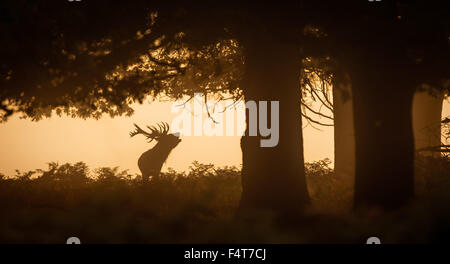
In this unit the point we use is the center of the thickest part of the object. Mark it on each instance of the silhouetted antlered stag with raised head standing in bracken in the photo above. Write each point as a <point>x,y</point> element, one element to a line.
<point>151,161</point>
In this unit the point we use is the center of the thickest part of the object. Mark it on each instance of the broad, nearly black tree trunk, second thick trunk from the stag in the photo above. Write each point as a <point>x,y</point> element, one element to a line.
<point>384,144</point>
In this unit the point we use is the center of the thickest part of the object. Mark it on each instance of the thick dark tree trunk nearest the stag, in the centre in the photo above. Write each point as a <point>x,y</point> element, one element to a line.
<point>273,178</point>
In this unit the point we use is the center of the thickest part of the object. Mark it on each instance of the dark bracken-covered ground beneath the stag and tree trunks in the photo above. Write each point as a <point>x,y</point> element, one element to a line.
<point>107,205</point>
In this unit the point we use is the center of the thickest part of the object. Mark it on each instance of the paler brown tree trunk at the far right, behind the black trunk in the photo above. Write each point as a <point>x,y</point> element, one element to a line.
<point>427,112</point>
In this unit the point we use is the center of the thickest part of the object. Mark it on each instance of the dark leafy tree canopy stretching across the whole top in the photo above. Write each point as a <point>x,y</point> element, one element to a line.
<point>88,58</point>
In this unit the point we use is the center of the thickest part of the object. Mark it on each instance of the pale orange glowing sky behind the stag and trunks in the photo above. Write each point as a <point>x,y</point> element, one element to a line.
<point>30,145</point>
